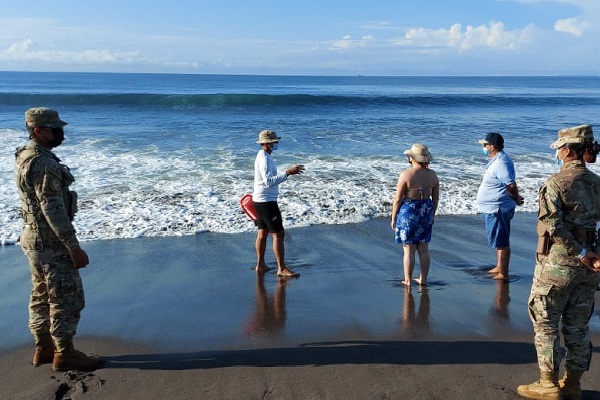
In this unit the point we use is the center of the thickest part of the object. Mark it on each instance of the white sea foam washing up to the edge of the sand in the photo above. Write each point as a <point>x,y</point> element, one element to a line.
<point>145,193</point>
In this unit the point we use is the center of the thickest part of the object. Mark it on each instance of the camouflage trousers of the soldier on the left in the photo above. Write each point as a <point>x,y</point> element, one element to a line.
<point>57,296</point>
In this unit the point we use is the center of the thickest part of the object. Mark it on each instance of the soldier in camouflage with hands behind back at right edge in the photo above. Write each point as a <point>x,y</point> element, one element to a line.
<point>567,270</point>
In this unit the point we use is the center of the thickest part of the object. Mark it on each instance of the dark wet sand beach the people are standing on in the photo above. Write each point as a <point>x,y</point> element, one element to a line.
<point>187,318</point>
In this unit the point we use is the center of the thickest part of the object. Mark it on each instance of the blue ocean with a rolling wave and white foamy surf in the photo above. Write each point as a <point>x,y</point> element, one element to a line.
<point>171,155</point>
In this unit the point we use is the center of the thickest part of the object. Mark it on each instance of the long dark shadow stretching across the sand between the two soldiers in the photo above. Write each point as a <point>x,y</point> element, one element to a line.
<point>335,353</point>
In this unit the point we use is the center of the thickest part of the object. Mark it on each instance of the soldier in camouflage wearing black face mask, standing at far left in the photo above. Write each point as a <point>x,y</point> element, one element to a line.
<point>48,240</point>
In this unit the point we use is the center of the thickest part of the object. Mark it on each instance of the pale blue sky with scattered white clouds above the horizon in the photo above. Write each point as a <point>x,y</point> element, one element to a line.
<point>308,37</point>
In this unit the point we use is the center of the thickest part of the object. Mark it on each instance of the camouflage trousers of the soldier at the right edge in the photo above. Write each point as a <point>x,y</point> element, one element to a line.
<point>562,293</point>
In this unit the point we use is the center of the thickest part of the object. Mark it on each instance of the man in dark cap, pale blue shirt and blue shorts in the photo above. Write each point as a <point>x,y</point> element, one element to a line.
<point>497,198</point>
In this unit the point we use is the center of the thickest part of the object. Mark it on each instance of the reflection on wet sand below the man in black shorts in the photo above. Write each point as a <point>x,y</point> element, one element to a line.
<point>269,315</point>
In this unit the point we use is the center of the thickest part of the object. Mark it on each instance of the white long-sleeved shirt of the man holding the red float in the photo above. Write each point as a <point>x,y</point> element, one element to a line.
<point>266,178</point>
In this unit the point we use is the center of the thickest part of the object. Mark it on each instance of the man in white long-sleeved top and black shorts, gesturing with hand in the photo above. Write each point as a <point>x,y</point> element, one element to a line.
<point>266,190</point>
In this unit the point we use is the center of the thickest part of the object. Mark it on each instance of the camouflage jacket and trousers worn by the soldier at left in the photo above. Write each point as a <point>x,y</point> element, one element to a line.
<point>48,207</point>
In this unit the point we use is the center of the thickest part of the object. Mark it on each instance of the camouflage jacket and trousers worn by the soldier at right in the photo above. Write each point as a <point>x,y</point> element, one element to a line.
<point>563,288</point>
